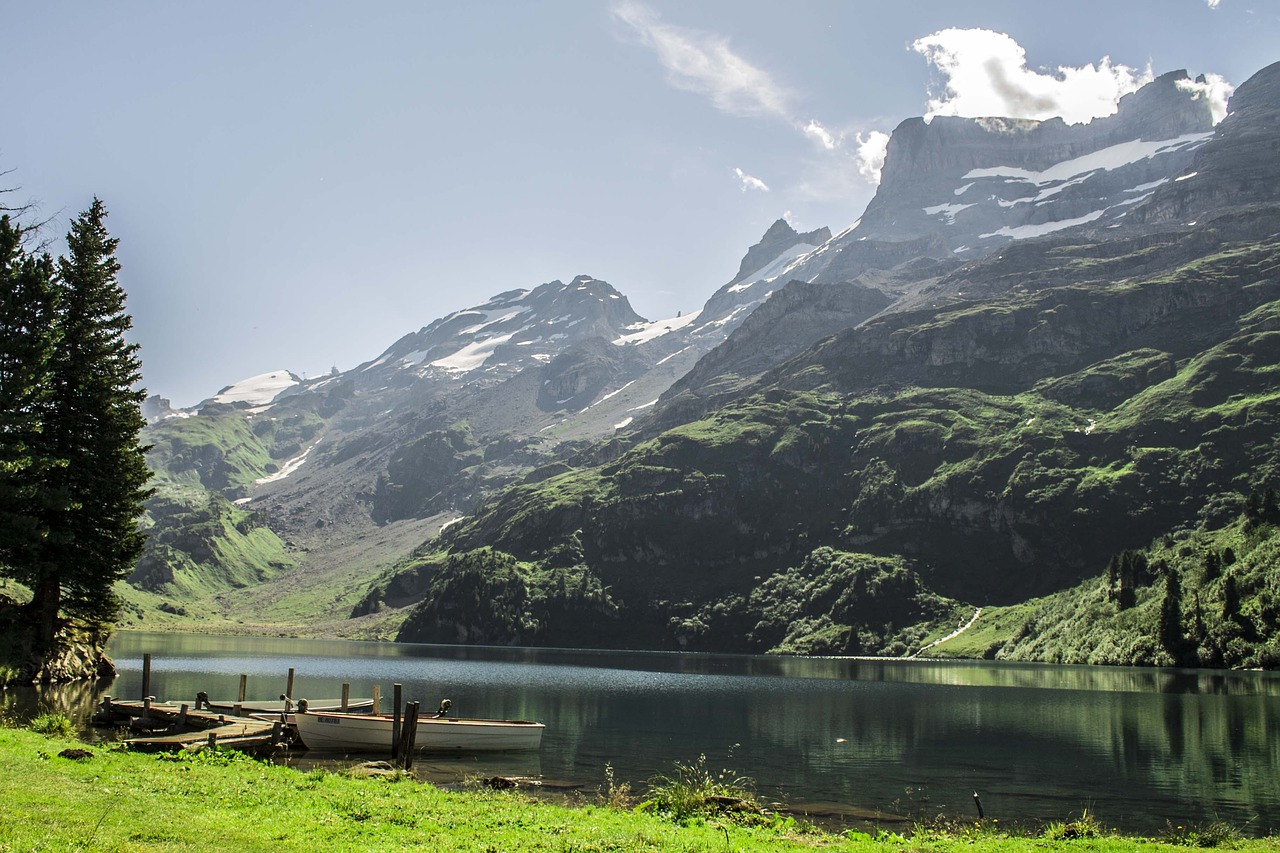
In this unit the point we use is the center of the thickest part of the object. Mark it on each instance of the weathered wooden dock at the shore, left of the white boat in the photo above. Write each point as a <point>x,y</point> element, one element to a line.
<point>176,727</point>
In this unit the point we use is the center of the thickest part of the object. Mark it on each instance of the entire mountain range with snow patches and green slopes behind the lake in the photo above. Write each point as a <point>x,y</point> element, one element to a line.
<point>1041,345</point>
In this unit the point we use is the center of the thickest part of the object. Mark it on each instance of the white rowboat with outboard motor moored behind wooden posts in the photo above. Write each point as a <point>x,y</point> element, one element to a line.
<point>373,733</point>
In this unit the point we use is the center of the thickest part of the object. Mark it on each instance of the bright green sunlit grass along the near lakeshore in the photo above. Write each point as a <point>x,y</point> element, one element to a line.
<point>116,800</point>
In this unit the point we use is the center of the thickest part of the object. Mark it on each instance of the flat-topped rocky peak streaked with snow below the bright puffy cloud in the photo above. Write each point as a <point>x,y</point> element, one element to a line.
<point>961,188</point>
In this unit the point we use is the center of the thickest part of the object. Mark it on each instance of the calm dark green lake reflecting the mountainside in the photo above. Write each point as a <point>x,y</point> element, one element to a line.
<point>1137,747</point>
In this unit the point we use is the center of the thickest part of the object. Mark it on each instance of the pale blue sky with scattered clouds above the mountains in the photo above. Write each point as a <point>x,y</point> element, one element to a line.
<point>299,185</point>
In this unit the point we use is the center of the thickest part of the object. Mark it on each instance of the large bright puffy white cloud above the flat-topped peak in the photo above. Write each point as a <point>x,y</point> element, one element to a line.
<point>986,74</point>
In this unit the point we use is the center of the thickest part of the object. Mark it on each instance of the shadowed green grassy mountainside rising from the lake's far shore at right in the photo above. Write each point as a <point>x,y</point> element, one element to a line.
<point>876,490</point>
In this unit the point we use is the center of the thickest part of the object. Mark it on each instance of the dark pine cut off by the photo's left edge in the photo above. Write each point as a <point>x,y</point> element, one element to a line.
<point>28,341</point>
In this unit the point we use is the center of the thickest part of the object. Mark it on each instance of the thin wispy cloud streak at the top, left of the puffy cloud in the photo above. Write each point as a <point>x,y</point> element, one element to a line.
<point>703,63</point>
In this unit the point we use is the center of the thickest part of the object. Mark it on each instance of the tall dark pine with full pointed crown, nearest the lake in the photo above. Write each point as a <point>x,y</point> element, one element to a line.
<point>93,428</point>
